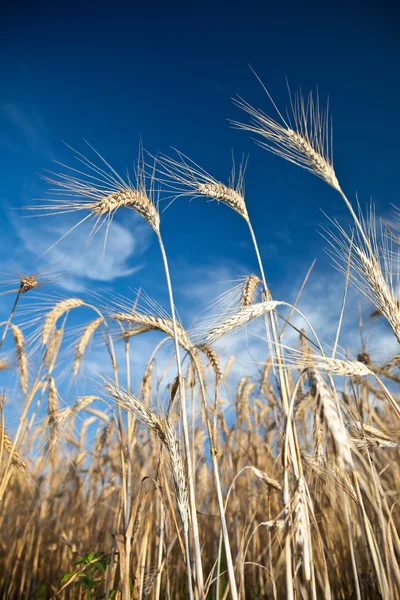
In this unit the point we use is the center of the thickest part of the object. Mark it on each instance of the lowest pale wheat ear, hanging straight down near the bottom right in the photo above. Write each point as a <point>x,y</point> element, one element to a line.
<point>301,527</point>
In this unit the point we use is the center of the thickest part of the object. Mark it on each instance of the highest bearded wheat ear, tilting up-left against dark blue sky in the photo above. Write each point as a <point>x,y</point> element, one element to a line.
<point>303,138</point>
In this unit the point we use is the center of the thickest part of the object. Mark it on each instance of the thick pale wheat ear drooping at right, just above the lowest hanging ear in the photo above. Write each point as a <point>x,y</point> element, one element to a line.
<point>328,410</point>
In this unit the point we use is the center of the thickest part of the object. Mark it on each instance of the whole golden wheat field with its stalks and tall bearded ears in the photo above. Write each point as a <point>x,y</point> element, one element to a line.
<point>179,485</point>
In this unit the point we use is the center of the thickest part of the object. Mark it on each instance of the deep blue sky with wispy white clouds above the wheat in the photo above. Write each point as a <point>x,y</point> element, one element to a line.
<point>112,72</point>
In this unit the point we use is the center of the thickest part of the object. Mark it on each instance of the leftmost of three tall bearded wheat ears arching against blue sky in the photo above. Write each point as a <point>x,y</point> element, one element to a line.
<point>95,188</point>
